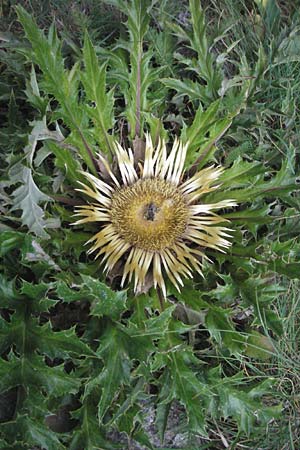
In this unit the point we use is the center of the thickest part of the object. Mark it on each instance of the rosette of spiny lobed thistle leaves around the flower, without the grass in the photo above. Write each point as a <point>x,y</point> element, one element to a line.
<point>81,357</point>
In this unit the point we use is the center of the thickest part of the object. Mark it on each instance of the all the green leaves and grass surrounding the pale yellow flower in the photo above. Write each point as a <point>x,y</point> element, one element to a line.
<point>82,360</point>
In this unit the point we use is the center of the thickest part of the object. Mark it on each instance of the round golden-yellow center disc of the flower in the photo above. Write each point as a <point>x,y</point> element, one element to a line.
<point>151,214</point>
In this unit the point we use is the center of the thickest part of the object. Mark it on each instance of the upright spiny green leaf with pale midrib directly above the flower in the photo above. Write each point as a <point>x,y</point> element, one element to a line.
<point>132,68</point>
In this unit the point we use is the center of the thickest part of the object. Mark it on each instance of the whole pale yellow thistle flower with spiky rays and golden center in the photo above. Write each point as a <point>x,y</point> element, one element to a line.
<point>152,218</point>
